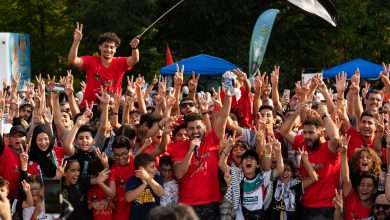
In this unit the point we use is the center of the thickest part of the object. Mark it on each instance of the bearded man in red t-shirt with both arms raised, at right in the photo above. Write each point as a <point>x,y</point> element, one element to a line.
<point>324,157</point>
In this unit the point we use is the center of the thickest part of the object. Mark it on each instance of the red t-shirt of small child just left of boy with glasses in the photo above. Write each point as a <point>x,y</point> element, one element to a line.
<point>100,204</point>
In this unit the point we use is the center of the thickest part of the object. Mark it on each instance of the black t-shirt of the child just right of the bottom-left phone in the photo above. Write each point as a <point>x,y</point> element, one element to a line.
<point>77,196</point>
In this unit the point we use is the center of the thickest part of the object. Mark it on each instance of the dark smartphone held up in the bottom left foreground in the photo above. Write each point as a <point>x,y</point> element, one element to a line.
<point>52,195</point>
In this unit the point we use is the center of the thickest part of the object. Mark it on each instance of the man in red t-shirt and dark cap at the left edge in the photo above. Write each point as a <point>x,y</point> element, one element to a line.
<point>10,166</point>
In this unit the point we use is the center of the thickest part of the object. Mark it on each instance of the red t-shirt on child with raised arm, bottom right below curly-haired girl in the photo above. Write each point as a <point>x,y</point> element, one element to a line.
<point>354,208</point>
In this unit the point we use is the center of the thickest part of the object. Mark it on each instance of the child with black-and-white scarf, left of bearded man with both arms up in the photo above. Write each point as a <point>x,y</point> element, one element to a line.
<point>288,190</point>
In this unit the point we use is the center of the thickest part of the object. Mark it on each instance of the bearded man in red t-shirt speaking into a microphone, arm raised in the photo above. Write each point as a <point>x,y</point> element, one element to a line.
<point>195,163</point>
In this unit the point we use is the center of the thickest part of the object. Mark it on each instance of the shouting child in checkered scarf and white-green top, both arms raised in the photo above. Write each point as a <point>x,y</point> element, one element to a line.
<point>247,188</point>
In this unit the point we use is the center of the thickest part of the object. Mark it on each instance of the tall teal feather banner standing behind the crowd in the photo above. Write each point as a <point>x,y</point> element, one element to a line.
<point>260,37</point>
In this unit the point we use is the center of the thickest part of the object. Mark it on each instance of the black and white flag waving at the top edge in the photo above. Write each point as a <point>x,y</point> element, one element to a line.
<point>322,8</point>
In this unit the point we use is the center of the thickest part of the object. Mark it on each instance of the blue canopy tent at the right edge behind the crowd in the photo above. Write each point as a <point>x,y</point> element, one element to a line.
<point>368,70</point>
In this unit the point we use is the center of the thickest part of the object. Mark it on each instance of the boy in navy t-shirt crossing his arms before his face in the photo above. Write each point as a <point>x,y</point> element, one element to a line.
<point>145,188</point>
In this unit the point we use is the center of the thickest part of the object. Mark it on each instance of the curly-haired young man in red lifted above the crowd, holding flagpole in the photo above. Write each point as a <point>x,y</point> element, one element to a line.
<point>104,70</point>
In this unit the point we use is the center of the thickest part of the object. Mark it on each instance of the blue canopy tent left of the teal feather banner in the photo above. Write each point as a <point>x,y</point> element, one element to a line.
<point>210,68</point>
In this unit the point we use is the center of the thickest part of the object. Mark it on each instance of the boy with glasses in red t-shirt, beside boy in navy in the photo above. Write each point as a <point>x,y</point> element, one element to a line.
<point>121,171</point>
